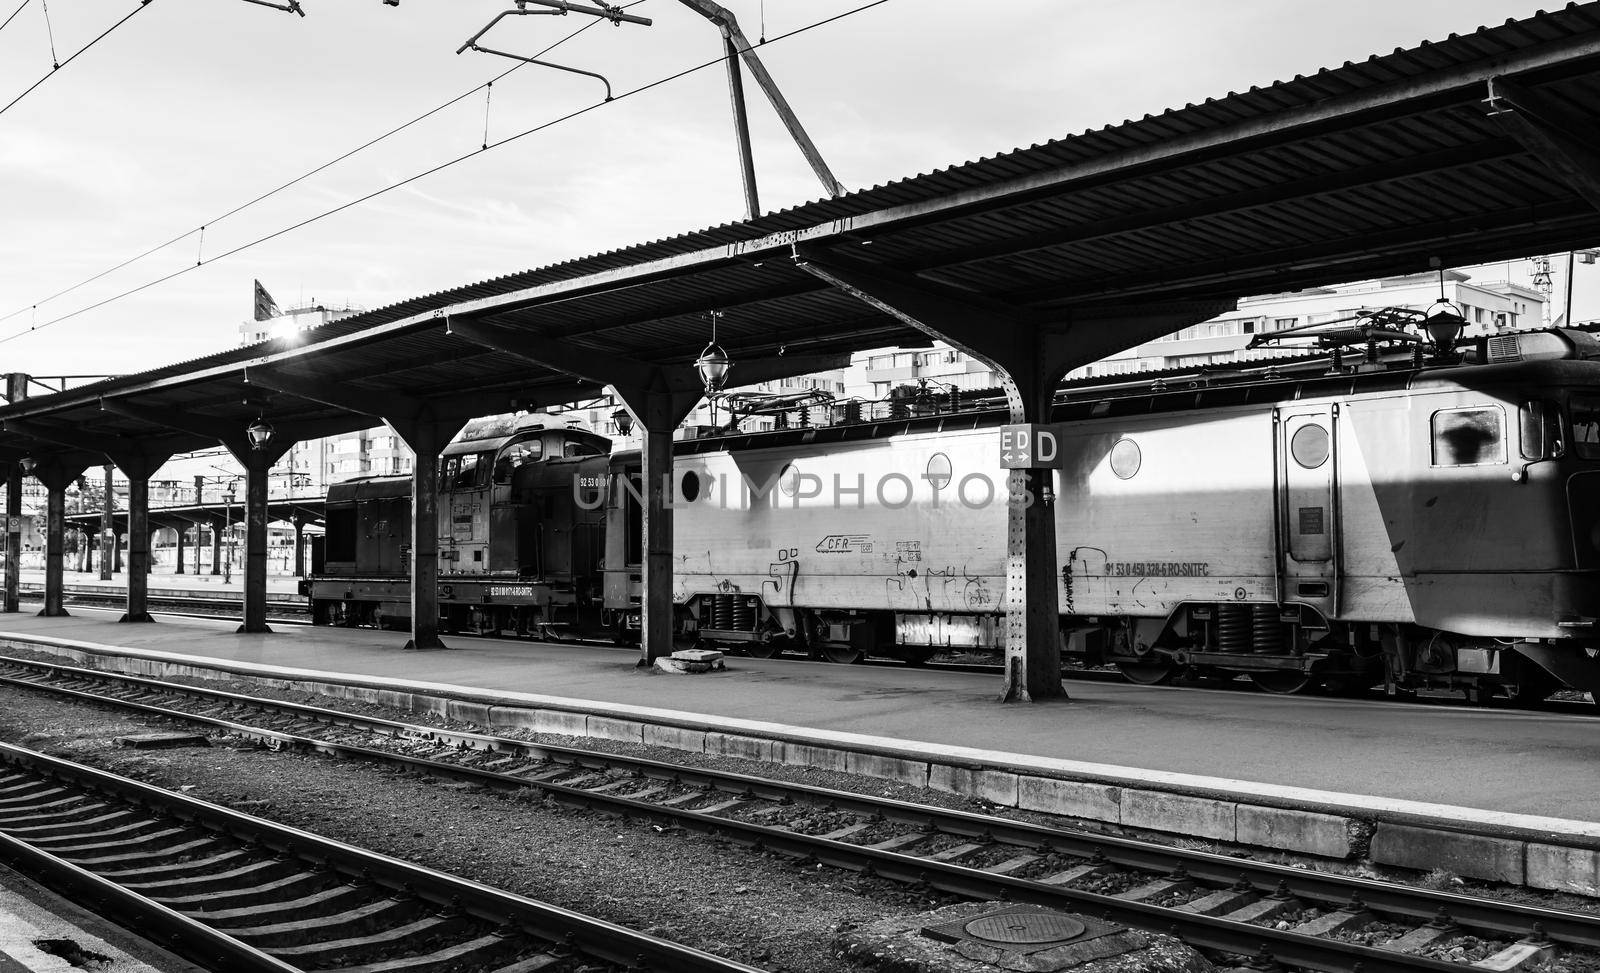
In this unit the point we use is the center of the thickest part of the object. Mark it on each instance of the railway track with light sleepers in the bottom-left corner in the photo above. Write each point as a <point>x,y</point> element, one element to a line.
<point>239,894</point>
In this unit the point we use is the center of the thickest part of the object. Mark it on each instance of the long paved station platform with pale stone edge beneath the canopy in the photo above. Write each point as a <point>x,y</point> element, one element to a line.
<point>1498,795</point>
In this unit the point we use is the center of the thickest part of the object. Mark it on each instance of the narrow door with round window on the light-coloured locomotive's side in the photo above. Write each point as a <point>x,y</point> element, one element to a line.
<point>1308,460</point>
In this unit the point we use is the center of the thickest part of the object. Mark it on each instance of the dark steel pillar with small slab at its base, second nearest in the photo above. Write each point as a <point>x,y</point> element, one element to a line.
<point>657,415</point>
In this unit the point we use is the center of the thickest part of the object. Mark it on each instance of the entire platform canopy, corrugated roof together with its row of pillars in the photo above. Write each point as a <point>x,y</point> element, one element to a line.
<point>1474,150</point>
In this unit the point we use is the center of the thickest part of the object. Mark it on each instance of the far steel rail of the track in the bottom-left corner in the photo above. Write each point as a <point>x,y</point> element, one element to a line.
<point>594,937</point>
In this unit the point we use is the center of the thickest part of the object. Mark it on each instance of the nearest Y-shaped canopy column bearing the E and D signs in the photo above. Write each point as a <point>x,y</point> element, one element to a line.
<point>1031,353</point>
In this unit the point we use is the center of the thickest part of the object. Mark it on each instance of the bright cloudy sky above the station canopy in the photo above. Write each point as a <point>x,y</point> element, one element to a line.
<point>198,106</point>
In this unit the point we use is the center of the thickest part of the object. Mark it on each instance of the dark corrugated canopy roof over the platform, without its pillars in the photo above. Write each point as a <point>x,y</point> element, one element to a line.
<point>1473,150</point>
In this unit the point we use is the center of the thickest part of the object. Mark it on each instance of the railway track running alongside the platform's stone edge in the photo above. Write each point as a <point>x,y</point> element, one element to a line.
<point>1215,902</point>
